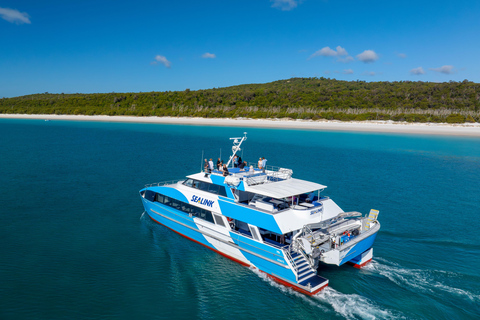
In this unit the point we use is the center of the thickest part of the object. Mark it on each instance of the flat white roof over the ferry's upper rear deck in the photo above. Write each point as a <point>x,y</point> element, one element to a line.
<point>285,189</point>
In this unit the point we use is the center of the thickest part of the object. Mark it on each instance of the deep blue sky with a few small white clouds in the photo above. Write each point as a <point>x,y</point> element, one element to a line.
<point>141,46</point>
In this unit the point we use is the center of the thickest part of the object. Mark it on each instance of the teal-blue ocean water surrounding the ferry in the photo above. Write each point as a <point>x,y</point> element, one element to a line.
<point>74,243</point>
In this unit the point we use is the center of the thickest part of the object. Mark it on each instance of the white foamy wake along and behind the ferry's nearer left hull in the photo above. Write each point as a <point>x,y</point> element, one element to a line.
<point>349,306</point>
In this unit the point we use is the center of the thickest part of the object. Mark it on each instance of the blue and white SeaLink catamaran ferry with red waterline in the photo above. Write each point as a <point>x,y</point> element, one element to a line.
<point>265,219</point>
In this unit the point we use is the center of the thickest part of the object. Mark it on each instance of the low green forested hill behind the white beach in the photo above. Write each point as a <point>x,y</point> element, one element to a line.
<point>296,98</point>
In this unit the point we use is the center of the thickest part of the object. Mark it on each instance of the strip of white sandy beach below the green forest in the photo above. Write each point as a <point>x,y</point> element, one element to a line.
<point>463,129</point>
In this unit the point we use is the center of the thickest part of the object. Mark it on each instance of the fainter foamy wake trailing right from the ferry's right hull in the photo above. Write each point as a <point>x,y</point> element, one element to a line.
<point>426,281</point>
